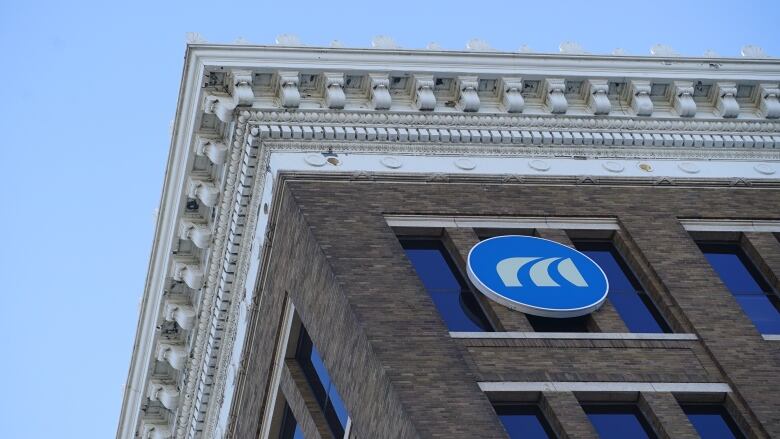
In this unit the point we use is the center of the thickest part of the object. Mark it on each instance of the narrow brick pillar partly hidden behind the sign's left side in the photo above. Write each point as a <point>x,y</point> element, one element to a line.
<point>460,241</point>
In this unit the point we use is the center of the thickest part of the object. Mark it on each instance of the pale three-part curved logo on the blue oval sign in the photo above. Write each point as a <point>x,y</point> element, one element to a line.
<point>540,271</point>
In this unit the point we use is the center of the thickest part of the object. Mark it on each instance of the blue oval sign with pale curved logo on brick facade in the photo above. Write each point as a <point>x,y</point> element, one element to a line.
<point>537,276</point>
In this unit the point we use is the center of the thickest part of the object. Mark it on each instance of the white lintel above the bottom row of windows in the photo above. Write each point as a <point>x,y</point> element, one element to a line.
<point>583,386</point>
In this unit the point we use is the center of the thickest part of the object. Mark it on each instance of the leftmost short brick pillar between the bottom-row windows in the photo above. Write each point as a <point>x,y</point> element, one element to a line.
<point>566,416</point>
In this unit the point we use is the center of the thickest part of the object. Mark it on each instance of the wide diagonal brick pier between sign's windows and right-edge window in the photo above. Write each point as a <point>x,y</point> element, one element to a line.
<point>715,316</point>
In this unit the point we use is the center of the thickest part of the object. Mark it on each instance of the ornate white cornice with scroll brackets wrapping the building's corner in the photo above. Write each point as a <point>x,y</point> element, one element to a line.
<point>240,105</point>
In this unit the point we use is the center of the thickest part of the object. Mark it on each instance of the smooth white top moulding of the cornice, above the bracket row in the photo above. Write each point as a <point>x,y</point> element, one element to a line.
<point>471,62</point>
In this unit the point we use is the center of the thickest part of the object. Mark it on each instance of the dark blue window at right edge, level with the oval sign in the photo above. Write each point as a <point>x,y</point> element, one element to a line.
<point>745,283</point>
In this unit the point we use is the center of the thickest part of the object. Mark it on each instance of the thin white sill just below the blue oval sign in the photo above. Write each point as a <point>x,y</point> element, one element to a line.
<point>573,335</point>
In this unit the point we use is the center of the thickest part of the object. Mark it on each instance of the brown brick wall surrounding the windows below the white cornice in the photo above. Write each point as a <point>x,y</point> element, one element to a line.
<point>392,359</point>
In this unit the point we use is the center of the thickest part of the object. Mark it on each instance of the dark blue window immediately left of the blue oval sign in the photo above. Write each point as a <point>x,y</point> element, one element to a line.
<point>456,303</point>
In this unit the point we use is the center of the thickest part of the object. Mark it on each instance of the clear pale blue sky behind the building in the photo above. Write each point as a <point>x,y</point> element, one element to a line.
<point>88,97</point>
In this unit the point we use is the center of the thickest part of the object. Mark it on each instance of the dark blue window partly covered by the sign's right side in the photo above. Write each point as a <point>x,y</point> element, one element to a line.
<point>625,293</point>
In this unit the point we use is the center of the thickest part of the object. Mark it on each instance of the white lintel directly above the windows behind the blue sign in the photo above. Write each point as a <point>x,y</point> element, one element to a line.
<point>502,222</point>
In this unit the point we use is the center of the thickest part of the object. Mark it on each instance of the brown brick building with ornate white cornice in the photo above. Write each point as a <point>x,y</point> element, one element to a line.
<point>308,275</point>
